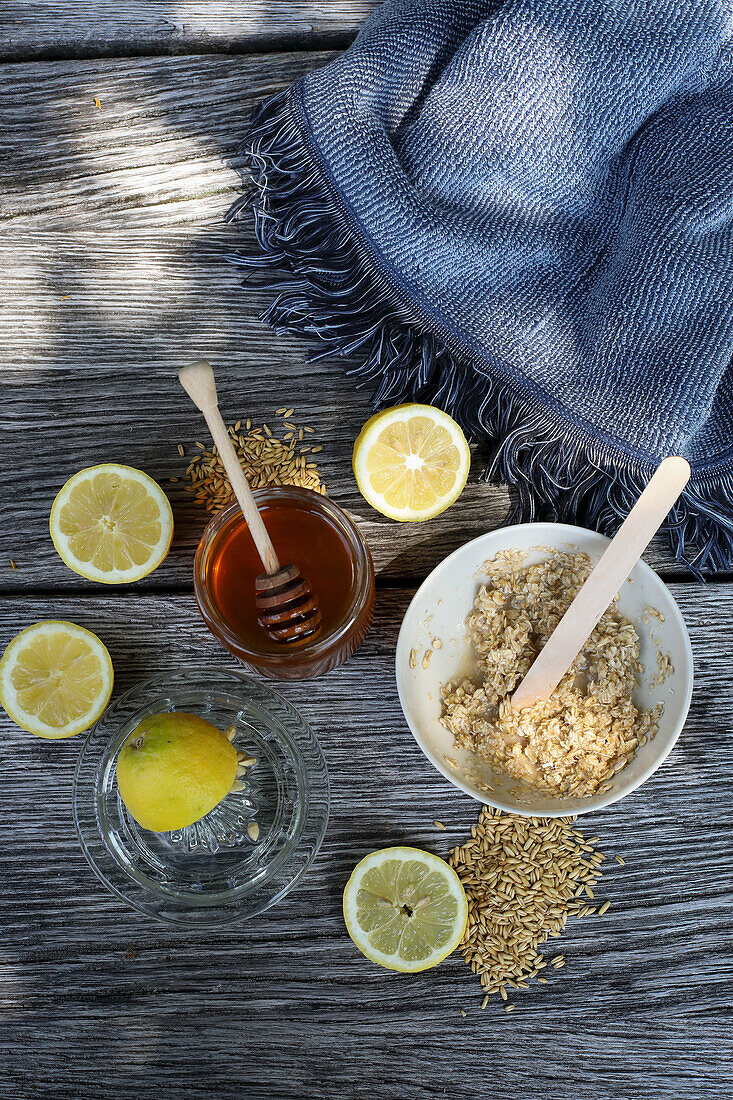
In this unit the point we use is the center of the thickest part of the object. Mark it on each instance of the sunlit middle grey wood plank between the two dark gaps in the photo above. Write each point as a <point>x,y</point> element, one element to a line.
<point>116,272</point>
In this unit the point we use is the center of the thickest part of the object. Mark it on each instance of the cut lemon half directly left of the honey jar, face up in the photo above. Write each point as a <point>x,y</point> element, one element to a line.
<point>112,524</point>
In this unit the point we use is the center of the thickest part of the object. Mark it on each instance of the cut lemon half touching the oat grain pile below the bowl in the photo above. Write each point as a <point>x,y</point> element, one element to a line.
<point>406,909</point>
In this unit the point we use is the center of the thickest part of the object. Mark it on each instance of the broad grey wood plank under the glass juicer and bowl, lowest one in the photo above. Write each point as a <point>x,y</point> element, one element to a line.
<point>285,1007</point>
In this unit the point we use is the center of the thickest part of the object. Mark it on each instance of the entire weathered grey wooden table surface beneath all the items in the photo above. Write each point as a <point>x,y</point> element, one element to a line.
<point>114,276</point>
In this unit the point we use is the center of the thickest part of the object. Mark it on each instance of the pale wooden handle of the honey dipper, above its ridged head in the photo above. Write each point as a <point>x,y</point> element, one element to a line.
<point>198,380</point>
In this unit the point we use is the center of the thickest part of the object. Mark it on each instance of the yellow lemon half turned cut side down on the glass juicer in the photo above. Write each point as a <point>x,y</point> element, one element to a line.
<point>173,769</point>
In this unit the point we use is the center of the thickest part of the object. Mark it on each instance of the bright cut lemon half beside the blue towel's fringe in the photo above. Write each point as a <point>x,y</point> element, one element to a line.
<point>411,463</point>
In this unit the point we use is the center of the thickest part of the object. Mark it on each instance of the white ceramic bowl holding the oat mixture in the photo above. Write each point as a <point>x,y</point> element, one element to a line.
<point>440,609</point>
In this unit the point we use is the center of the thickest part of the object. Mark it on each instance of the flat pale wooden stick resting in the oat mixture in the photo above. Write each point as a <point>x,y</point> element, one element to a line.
<point>612,569</point>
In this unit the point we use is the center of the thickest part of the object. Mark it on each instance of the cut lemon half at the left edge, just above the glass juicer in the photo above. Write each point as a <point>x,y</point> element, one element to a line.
<point>56,679</point>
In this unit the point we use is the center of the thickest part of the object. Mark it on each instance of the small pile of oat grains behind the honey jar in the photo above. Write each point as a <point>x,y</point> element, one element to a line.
<point>266,459</point>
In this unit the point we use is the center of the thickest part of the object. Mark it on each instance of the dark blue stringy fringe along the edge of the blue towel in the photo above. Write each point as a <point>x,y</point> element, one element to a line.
<point>332,292</point>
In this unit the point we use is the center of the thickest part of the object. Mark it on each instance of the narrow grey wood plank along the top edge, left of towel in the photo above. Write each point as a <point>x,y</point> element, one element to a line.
<point>48,29</point>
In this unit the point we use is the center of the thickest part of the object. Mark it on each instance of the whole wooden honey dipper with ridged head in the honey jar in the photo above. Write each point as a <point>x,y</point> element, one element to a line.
<point>287,607</point>
